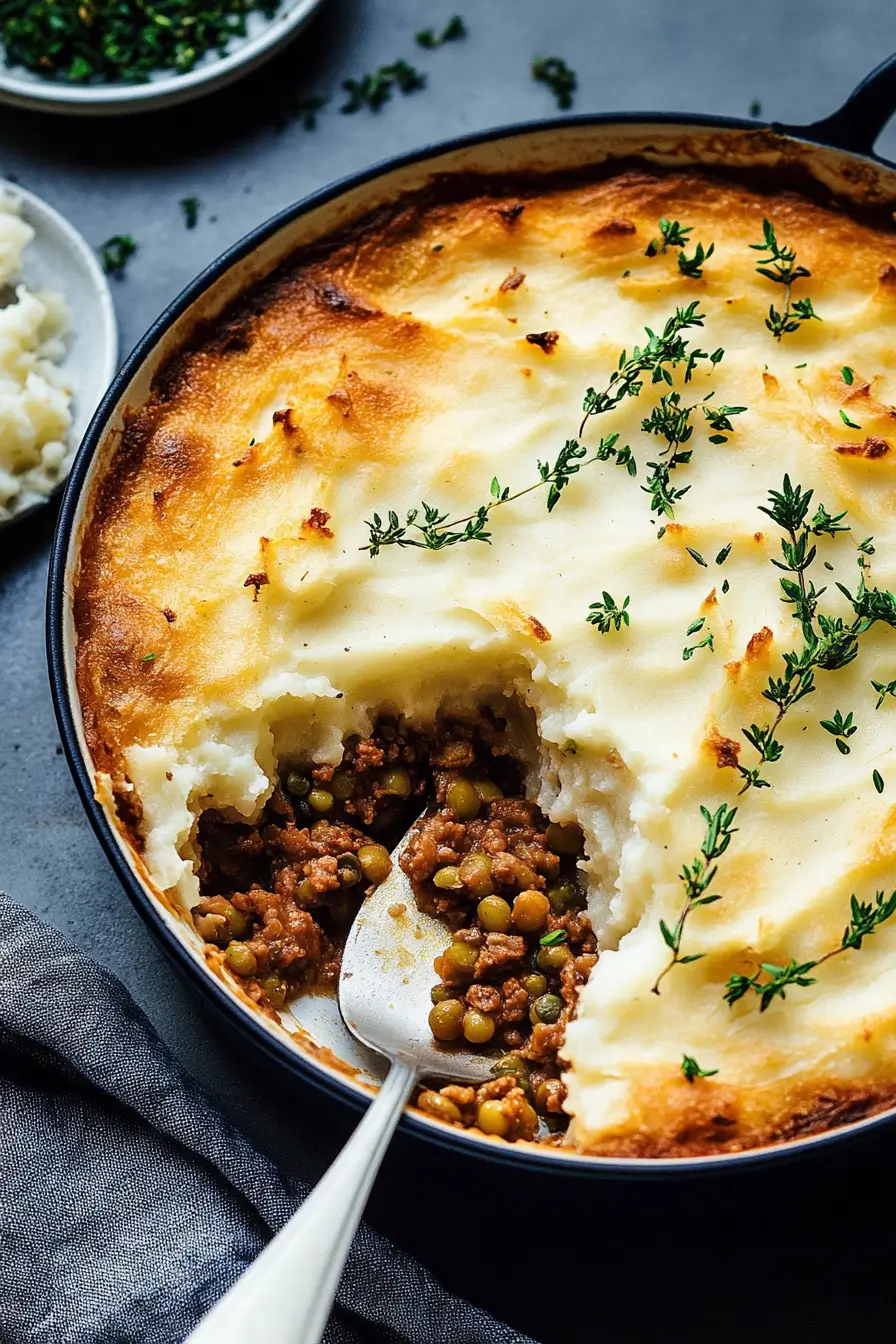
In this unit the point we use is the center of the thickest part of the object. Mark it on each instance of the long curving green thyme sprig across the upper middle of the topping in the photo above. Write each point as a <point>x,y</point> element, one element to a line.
<point>663,353</point>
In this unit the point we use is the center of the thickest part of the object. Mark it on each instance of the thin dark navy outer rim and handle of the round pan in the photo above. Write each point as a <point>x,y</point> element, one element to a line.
<point>854,131</point>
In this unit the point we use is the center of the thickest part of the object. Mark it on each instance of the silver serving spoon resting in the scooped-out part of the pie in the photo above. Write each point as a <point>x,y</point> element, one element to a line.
<point>287,1295</point>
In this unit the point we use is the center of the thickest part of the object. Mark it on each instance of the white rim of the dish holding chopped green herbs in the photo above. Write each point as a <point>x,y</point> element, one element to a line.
<point>264,40</point>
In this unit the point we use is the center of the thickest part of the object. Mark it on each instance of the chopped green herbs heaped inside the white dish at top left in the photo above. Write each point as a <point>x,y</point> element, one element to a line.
<point>120,40</point>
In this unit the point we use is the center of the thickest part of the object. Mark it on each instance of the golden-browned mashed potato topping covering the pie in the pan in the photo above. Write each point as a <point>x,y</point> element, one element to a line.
<point>230,616</point>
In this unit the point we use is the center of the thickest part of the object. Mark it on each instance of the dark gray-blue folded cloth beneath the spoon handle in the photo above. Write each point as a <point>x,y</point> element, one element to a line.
<point>130,1204</point>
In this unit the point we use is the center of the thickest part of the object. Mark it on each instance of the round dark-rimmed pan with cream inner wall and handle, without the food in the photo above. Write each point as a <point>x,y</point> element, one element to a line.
<point>839,151</point>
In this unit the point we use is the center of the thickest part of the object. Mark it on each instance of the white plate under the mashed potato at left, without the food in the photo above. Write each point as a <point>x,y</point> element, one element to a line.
<point>60,259</point>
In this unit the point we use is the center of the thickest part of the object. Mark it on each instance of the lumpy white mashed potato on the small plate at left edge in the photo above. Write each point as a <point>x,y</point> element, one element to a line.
<point>34,392</point>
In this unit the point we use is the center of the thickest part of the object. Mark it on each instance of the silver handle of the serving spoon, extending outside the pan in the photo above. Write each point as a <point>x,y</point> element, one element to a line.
<point>285,1296</point>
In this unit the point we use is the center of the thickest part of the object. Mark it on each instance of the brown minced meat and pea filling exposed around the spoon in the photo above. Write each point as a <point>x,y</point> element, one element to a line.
<point>280,896</point>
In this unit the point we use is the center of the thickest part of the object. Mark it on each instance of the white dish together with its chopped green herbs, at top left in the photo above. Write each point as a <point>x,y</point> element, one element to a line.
<point>112,57</point>
